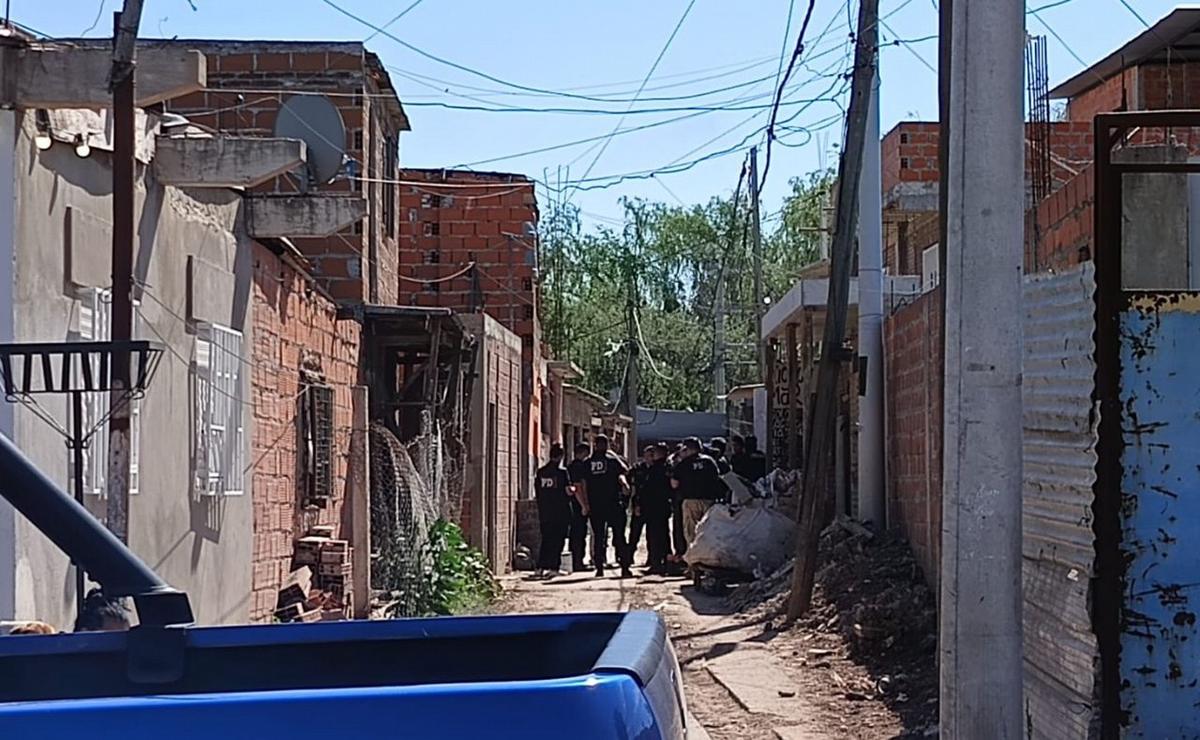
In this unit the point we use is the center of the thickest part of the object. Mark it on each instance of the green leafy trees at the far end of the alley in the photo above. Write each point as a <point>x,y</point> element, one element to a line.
<point>677,256</point>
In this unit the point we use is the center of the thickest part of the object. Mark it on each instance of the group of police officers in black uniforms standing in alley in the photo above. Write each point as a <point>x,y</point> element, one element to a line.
<point>665,496</point>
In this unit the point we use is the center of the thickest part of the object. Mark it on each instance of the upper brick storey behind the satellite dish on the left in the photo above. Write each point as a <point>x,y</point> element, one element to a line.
<point>250,81</point>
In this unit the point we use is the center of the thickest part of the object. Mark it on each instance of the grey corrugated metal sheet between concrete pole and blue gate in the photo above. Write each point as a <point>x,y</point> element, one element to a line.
<point>1059,454</point>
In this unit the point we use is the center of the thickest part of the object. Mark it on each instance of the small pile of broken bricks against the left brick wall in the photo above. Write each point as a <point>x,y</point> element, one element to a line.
<point>319,588</point>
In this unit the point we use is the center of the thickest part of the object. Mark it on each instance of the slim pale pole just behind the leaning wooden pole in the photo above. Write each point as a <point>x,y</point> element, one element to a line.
<point>872,500</point>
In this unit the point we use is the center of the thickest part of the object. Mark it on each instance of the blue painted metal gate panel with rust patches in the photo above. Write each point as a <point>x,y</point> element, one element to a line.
<point>1161,515</point>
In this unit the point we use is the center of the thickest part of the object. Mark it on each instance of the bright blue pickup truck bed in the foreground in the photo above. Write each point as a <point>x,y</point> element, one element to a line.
<point>562,676</point>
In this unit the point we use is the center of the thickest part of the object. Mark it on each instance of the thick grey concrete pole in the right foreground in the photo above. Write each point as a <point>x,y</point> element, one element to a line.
<point>981,606</point>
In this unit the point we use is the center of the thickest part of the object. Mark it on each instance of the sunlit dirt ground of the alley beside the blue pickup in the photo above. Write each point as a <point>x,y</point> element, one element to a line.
<point>743,678</point>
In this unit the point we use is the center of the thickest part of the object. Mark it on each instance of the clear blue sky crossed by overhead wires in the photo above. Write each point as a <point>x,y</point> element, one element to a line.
<point>605,49</point>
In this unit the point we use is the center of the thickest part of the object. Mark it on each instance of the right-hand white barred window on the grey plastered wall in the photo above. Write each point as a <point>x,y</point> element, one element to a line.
<point>220,441</point>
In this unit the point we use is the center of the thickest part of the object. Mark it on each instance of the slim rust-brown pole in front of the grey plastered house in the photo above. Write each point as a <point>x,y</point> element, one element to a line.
<point>125,37</point>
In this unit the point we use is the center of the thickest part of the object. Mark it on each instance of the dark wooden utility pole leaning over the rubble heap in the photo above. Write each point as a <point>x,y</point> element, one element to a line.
<point>825,411</point>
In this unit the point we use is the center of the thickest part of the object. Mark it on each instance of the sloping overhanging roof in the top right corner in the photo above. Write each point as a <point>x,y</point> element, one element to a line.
<point>1175,33</point>
